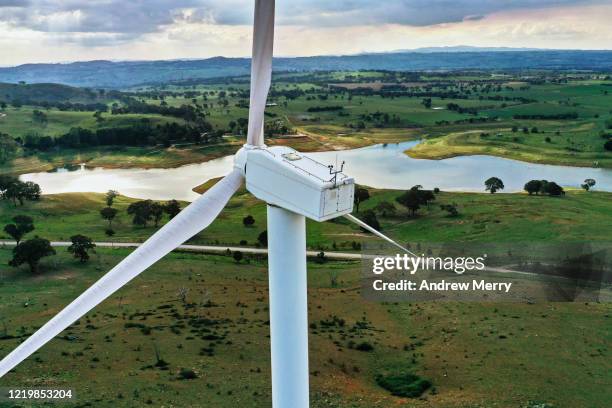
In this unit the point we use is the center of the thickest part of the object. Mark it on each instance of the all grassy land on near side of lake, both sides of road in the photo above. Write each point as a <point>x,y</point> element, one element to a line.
<point>475,354</point>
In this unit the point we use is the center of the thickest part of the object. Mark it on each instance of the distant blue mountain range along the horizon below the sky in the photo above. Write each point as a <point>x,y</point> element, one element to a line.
<point>129,73</point>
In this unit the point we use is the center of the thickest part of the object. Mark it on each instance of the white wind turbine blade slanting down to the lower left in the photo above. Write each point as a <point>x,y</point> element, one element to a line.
<point>194,218</point>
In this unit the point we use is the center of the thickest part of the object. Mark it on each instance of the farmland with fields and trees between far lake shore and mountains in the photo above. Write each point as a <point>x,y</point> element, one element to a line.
<point>544,117</point>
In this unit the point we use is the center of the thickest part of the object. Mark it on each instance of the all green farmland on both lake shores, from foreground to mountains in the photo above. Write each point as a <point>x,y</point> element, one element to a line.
<point>195,326</point>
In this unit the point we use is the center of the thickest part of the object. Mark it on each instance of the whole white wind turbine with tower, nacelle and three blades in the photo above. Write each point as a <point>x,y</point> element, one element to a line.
<point>293,185</point>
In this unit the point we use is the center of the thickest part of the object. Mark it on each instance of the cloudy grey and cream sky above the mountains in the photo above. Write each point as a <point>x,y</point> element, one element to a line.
<point>72,30</point>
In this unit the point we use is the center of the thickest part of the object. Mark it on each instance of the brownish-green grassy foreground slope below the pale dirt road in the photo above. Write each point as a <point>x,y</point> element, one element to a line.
<point>506,355</point>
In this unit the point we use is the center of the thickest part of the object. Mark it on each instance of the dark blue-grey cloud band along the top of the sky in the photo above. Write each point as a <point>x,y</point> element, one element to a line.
<point>132,18</point>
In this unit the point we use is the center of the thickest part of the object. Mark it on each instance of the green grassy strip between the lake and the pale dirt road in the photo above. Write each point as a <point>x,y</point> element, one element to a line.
<point>579,216</point>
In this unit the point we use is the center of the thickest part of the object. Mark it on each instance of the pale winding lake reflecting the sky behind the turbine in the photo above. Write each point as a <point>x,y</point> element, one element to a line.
<point>377,166</point>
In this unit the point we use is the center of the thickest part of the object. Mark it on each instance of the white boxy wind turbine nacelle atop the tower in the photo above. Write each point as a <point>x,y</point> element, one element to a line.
<point>284,177</point>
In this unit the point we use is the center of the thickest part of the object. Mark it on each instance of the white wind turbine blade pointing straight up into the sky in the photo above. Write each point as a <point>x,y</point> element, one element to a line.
<point>261,68</point>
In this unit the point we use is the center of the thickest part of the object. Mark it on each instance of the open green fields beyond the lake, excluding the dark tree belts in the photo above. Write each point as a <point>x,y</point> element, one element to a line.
<point>497,99</point>
